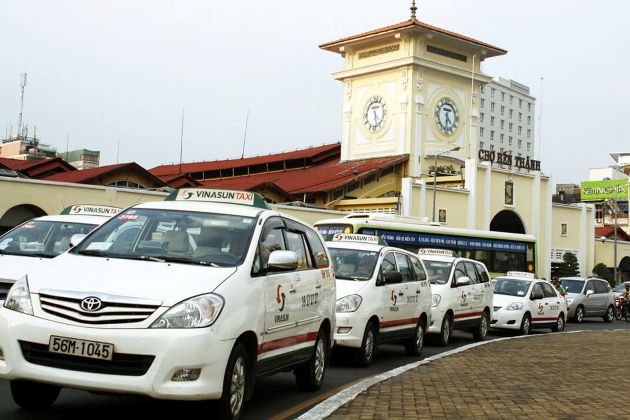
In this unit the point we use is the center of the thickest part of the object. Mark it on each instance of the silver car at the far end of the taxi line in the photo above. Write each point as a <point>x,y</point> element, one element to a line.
<point>589,297</point>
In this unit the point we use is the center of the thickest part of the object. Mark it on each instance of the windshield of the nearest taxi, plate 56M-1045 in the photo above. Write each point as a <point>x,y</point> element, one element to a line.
<point>172,236</point>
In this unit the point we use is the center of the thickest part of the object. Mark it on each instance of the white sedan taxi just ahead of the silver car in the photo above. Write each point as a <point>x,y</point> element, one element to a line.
<point>522,302</point>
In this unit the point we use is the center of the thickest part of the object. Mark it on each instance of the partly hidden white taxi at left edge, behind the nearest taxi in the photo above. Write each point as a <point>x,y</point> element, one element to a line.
<point>33,242</point>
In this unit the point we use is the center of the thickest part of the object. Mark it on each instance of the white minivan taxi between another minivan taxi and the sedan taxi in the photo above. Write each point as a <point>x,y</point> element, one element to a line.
<point>462,294</point>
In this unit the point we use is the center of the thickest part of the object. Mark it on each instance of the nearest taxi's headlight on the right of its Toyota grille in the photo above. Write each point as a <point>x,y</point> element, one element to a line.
<point>198,312</point>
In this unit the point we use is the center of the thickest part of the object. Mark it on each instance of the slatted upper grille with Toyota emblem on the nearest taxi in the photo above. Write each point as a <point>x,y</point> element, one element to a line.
<point>113,310</point>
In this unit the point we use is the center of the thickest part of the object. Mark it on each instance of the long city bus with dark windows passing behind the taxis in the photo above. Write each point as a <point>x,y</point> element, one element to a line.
<point>499,251</point>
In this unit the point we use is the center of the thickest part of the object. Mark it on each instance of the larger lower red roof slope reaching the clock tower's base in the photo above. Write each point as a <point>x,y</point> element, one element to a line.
<point>324,177</point>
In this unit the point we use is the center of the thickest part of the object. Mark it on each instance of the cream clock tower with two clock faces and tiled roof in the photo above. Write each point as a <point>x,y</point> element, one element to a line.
<point>411,89</point>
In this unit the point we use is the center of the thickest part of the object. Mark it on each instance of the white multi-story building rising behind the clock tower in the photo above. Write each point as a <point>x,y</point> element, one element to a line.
<point>506,119</point>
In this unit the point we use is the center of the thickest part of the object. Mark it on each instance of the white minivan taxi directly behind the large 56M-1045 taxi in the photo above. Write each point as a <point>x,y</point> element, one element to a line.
<point>383,296</point>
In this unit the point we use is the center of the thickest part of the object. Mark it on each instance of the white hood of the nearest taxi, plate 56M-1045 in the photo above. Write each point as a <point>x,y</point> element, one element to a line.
<point>168,283</point>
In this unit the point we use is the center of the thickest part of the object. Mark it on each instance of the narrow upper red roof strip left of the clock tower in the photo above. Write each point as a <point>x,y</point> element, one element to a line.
<point>313,154</point>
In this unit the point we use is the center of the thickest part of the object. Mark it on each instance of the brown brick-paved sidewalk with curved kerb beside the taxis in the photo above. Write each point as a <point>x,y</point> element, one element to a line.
<point>543,376</point>
